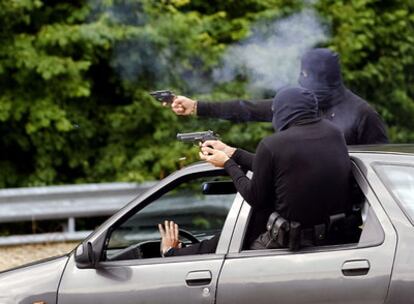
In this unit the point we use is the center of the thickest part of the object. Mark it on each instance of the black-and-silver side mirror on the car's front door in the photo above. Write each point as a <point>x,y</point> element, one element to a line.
<point>88,253</point>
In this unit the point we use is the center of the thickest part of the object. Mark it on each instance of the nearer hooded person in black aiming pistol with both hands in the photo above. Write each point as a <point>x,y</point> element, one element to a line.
<point>302,171</point>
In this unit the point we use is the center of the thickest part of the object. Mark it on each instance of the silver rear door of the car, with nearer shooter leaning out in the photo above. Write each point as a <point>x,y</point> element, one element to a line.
<point>352,273</point>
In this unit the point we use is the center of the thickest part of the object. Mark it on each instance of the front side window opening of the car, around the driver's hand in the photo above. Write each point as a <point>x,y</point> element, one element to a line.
<point>198,206</point>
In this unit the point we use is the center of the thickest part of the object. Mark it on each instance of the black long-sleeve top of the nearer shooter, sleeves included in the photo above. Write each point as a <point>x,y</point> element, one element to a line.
<point>302,172</point>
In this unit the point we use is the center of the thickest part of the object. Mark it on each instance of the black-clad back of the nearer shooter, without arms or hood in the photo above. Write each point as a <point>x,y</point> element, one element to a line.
<point>311,172</point>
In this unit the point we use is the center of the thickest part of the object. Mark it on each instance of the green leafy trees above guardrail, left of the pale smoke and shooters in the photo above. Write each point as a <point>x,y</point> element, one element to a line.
<point>74,77</point>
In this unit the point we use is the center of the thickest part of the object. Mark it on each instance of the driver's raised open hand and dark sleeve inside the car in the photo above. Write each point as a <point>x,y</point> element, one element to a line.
<point>171,245</point>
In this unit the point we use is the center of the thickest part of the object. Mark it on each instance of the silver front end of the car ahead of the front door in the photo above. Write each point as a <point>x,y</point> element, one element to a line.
<point>35,282</point>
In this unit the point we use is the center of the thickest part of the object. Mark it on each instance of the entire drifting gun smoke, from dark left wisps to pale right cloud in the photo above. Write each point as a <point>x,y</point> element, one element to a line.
<point>268,59</point>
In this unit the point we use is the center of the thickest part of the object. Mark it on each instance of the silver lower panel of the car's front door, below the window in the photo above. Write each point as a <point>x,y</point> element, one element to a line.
<point>130,282</point>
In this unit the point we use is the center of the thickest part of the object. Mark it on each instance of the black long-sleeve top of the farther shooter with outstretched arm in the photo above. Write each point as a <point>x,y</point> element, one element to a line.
<point>358,121</point>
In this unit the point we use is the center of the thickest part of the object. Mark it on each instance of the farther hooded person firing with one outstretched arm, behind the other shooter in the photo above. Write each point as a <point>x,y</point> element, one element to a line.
<point>320,73</point>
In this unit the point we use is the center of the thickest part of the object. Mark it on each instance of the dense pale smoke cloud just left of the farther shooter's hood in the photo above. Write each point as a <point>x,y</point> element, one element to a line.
<point>270,58</point>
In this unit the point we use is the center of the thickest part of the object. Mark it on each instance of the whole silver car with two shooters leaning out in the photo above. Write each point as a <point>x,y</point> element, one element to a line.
<point>120,262</point>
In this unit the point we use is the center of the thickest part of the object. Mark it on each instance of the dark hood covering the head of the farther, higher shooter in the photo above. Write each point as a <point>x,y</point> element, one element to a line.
<point>321,73</point>
